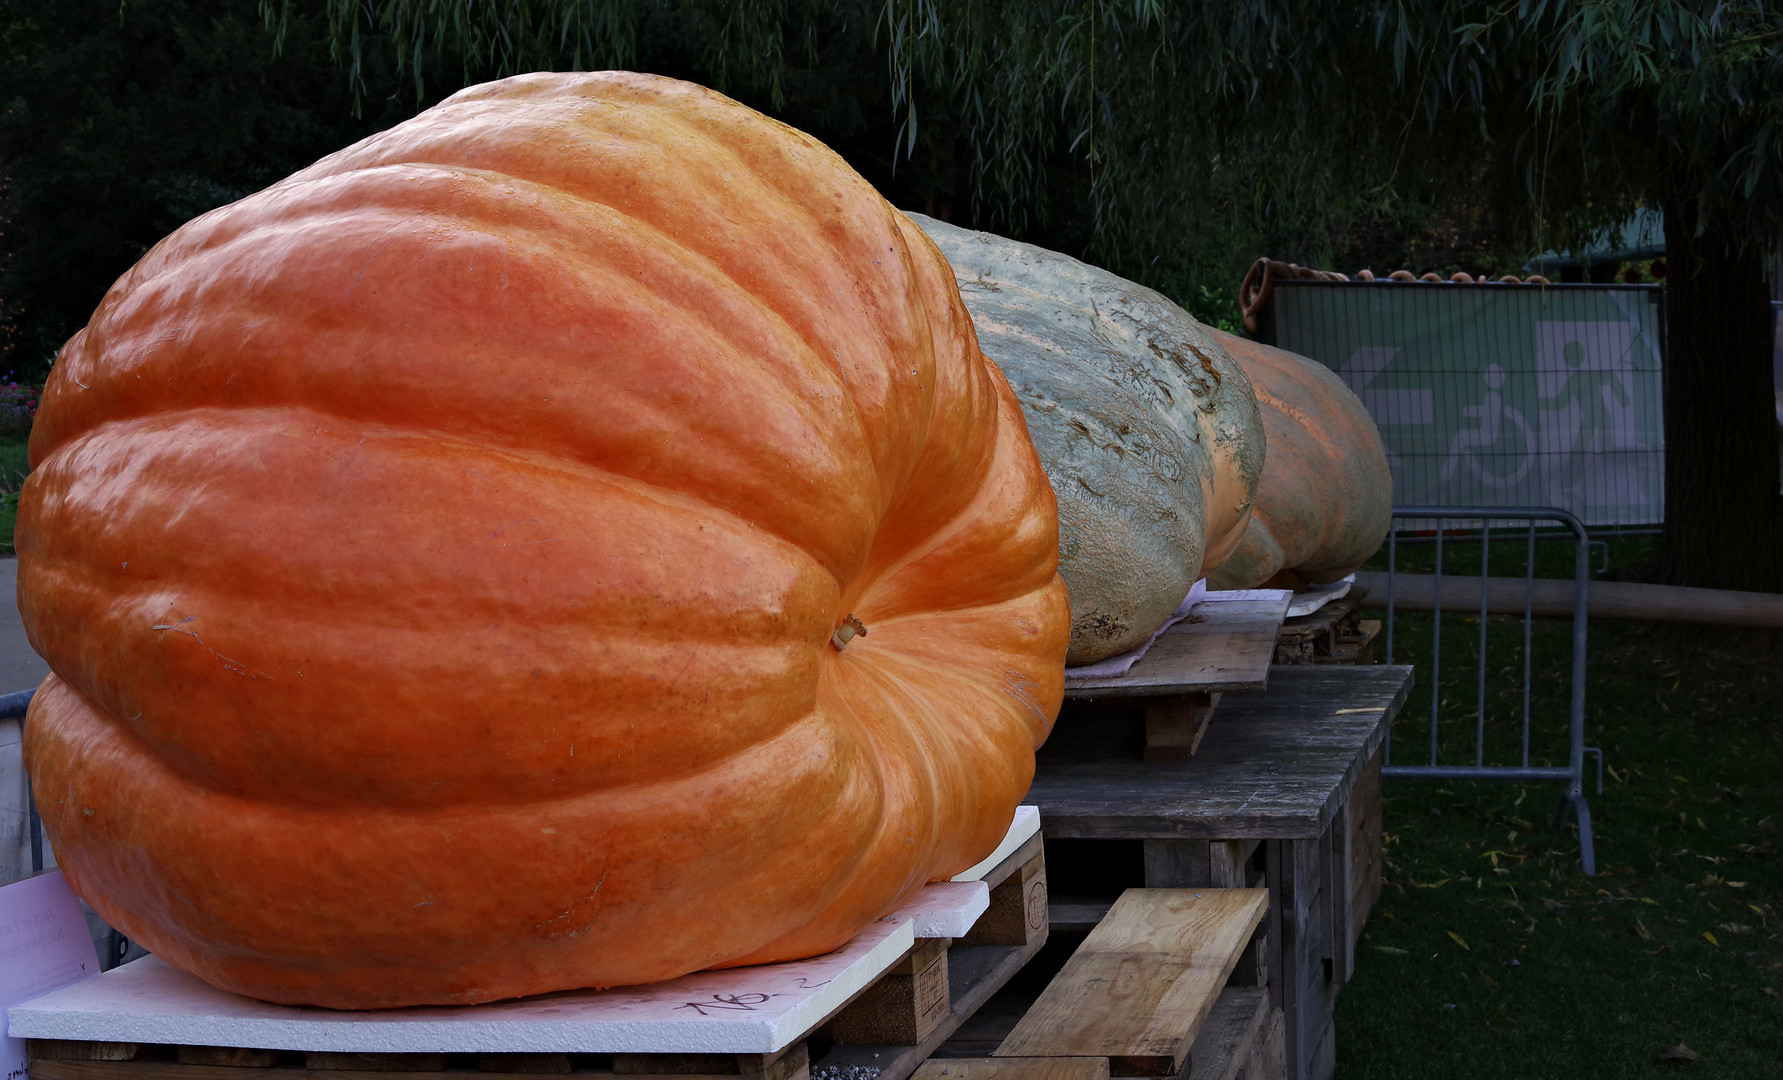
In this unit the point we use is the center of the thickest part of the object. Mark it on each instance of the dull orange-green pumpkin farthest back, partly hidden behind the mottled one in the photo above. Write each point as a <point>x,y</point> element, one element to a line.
<point>1326,498</point>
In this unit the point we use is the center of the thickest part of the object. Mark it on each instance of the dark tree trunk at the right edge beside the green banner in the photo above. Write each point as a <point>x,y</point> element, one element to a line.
<point>1723,512</point>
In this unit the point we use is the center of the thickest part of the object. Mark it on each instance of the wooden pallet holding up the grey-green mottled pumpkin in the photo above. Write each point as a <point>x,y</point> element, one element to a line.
<point>1226,646</point>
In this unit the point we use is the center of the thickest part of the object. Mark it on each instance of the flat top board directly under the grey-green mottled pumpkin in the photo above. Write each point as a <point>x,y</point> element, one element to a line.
<point>1224,644</point>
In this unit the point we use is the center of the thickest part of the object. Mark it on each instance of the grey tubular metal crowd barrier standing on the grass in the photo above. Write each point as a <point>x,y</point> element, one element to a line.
<point>1468,525</point>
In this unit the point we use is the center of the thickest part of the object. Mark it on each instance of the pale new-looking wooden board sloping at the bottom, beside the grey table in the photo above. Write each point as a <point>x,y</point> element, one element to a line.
<point>1142,985</point>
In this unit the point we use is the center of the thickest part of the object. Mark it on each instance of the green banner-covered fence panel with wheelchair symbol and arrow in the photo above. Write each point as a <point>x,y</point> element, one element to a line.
<point>1499,395</point>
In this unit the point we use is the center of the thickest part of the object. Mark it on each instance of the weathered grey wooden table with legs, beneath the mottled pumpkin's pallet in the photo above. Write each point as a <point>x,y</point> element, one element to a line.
<point>1283,792</point>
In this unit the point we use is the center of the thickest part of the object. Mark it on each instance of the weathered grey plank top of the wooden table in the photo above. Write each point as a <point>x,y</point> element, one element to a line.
<point>1276,765</point>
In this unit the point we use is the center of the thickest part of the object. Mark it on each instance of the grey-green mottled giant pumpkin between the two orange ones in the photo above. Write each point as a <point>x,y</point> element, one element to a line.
<point>1147,429</point>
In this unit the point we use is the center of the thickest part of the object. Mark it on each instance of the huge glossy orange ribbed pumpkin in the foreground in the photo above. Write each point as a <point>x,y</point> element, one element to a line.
<point>440,557</point>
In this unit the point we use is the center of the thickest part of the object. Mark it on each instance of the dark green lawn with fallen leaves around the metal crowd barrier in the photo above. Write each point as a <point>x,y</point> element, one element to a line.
<point>1491,954</point>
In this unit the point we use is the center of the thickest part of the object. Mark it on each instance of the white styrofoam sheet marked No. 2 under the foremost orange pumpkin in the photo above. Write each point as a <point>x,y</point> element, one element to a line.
<point>739,1011</point>
